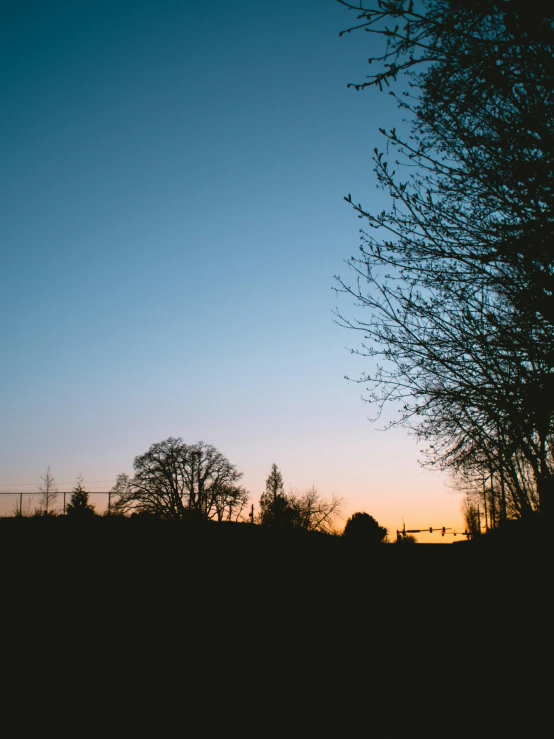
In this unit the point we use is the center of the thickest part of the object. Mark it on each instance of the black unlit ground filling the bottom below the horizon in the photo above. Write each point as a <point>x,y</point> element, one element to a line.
<point>119,629</point>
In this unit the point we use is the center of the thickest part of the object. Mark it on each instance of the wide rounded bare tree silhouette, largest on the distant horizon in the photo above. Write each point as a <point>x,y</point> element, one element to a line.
<point>173,480</point>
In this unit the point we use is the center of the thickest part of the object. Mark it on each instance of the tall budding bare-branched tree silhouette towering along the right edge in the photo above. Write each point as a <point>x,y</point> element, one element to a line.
<point>460,288</point>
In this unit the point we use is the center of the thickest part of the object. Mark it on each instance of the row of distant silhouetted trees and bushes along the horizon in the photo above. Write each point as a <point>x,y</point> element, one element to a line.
<point>197,484</point>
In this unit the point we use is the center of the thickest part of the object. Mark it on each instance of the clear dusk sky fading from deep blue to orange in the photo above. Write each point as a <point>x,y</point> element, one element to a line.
<point>172,179</point>
